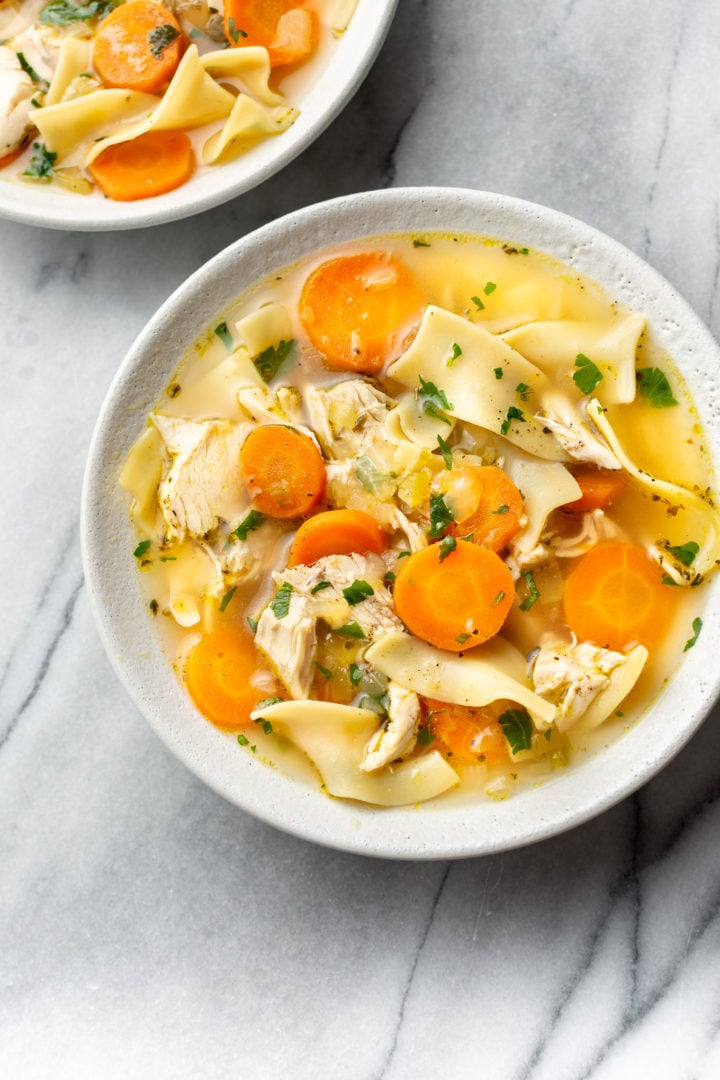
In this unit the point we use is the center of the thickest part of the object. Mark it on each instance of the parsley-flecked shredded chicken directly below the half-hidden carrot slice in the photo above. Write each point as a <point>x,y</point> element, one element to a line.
<point>290,642</point>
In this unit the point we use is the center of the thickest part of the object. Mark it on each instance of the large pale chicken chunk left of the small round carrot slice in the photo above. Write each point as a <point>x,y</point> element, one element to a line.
<point>203,484</point>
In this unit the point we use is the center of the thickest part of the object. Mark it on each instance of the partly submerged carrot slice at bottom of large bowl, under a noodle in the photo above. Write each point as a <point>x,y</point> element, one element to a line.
<point>470,734</point>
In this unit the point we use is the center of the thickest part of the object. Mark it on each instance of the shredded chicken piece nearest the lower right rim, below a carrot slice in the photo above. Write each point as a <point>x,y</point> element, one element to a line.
<point>573,676</point>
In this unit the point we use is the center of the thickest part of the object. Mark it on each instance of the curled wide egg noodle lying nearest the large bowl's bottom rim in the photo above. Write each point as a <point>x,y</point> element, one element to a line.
<point>334,737</point>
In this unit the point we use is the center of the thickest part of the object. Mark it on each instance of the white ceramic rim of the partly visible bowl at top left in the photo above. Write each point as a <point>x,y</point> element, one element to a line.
<point>321,101</point>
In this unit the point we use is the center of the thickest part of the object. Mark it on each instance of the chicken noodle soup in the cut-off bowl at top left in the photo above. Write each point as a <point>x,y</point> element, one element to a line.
<point>128,97</point>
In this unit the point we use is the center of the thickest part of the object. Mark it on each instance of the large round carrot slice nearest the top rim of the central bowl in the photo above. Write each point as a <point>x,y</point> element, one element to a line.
<point>357,308</point>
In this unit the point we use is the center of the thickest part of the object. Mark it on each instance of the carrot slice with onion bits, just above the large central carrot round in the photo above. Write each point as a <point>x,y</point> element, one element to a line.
<point>491,505</point>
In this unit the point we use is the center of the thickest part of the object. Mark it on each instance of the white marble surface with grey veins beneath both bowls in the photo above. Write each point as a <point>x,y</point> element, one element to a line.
<point>150,929</point>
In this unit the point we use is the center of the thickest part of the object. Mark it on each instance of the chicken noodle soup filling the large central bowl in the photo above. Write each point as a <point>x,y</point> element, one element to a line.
<point>424,515</point>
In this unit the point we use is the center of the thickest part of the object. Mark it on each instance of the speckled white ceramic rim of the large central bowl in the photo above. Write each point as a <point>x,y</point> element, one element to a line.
<point>440,830</point>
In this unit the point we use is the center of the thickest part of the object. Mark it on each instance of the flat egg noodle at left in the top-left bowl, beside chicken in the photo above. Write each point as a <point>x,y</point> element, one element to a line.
<point>72,125</point>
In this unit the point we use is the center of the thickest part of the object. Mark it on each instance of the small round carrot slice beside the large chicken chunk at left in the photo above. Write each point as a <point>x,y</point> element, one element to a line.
<point>283,470</point>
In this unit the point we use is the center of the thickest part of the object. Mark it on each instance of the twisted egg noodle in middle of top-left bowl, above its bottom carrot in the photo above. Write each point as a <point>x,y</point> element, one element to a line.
<point>192,101</point>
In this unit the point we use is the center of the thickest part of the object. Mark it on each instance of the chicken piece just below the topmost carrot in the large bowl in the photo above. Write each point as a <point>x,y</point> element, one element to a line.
<point>348,417</point>
